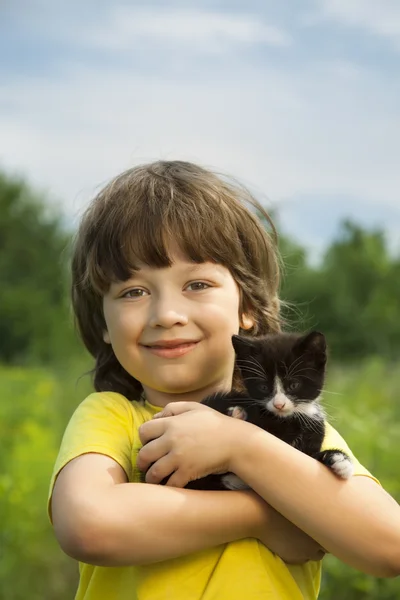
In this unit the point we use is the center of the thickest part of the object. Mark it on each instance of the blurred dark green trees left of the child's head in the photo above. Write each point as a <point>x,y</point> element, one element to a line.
<point>34,316</point>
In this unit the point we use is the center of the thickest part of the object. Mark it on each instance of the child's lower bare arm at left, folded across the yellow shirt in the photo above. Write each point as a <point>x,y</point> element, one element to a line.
<point>101,519</point>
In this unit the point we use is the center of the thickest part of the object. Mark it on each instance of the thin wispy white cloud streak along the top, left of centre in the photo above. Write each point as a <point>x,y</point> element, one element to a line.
<point>120,28</point>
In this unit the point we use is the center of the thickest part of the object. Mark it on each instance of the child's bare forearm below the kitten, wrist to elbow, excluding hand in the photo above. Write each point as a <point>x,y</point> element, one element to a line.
<point>356,520</point>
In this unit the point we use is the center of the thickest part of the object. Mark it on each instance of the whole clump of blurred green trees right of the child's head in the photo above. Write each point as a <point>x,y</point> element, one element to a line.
<point>352,296</point>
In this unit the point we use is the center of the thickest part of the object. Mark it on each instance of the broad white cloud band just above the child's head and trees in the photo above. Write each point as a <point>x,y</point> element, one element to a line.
<point>306,132</point>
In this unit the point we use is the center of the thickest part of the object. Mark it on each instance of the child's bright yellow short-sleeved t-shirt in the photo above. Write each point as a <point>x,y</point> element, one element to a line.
<point>107,423</point>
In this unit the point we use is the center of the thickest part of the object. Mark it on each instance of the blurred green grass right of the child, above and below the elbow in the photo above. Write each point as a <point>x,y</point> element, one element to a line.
<point>364,409</point>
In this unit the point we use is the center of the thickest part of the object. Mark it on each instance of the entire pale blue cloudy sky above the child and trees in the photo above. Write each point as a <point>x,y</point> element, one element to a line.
<point>300,101</point>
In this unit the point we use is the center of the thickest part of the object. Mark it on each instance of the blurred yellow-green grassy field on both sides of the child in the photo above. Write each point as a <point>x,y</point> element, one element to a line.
<point>36,404</point>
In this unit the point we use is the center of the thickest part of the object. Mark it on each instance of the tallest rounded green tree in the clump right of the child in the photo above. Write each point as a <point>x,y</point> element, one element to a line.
<point>355,272</point>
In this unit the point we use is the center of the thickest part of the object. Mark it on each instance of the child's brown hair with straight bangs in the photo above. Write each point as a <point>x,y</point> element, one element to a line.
<point>135,216</point>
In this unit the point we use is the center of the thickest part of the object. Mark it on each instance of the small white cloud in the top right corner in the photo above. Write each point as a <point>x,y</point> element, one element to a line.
<point>379,17</point>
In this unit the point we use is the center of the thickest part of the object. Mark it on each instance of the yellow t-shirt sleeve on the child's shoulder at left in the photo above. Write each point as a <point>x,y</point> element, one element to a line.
<point>102,423</point>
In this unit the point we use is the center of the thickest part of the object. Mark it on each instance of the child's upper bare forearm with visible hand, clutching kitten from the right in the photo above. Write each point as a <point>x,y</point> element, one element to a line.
<point>356,520</point>
